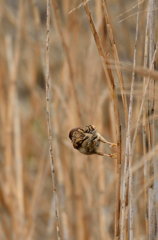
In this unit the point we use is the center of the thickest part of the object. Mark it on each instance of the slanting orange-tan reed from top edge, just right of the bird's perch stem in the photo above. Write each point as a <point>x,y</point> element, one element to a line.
<point>116,58</point>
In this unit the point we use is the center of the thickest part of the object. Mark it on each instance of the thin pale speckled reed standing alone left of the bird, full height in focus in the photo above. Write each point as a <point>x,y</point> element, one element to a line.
<point>49,121</point>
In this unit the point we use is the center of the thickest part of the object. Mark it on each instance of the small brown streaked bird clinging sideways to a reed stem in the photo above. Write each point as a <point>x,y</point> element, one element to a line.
<point>87,140</point>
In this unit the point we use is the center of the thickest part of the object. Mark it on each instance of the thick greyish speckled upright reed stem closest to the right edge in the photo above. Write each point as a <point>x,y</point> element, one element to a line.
<point>151,110</point>
